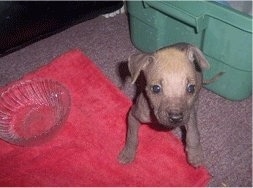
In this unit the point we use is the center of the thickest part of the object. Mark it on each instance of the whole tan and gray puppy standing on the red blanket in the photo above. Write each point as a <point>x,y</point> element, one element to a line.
<point>173,81</point>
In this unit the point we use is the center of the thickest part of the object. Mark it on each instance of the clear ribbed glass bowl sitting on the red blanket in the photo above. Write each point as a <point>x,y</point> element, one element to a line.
<point>32,111</point>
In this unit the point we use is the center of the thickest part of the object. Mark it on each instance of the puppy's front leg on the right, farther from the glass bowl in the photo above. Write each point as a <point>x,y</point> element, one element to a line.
<point>193,146</point>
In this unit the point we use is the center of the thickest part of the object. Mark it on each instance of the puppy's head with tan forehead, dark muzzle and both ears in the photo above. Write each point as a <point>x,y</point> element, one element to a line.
<point>173,80</point>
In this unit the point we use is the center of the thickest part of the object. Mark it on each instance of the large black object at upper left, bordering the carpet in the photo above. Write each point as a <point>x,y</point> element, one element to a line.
<point>25,22</point>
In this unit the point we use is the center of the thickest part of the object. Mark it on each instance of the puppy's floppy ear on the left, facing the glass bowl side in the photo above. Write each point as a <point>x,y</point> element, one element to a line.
<point>138,63</point>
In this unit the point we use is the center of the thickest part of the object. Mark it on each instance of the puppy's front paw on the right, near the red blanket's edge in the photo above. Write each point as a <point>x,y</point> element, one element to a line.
<point>195,156</point>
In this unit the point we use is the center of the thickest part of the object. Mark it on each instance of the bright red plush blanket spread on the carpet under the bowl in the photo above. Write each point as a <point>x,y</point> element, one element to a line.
<point>84,152</point>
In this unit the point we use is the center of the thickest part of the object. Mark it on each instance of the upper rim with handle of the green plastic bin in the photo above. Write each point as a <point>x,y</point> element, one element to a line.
<point>198,13</point>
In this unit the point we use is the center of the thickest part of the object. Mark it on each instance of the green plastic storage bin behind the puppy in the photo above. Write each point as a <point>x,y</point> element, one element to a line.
<point>223,34</point>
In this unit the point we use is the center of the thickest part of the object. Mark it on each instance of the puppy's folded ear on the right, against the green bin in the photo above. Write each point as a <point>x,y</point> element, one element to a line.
<point>197,57</point>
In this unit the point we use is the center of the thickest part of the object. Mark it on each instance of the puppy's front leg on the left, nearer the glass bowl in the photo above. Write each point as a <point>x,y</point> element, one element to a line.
<point>127,155</point>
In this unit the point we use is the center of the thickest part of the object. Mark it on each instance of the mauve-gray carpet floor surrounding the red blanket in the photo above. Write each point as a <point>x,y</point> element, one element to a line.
<point>225,126</point>
